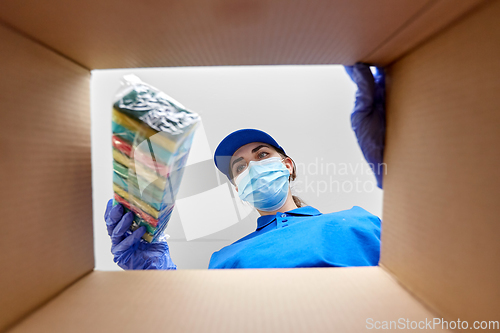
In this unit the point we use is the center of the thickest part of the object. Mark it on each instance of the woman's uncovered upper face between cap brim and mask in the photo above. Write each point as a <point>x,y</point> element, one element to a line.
<point>255,151</point>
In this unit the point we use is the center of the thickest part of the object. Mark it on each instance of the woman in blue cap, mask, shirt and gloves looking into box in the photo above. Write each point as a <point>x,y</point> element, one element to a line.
<point>289,233</point>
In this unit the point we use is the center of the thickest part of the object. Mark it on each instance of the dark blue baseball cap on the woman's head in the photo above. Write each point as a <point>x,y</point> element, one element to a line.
<point>231,143</point>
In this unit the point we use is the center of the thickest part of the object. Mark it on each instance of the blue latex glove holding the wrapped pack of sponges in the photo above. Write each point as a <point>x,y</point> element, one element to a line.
<point>129,250</point>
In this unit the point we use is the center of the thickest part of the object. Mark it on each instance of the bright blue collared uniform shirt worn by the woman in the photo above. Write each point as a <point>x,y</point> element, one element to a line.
<point>304,237</point>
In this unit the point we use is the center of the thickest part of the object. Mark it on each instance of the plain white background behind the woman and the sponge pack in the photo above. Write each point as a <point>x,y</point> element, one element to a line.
<point>305,108</point>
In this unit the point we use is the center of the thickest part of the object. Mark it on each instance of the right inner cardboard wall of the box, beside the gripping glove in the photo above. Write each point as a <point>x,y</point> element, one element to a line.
<point>441,193</point>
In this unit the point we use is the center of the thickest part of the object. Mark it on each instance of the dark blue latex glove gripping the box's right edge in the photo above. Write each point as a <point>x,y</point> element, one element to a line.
<point>368,116</point>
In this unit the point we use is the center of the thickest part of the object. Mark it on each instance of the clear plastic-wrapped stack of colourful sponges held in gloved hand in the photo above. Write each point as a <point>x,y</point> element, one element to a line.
<point>152,136</point>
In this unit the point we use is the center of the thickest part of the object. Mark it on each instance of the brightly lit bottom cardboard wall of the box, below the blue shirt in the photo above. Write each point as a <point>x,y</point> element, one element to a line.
<point>252,300</point>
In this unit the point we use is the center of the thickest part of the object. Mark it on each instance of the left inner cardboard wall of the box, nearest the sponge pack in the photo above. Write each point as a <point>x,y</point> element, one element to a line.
<point>46,236</point>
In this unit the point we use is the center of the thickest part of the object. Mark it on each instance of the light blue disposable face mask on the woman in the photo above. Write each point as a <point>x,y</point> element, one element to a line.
<point>264,184</point>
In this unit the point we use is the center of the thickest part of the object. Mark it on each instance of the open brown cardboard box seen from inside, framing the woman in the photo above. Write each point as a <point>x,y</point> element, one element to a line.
<point>440,253</point>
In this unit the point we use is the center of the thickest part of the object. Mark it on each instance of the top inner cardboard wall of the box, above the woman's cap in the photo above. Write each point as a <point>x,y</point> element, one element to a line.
<point>119,34</point>
